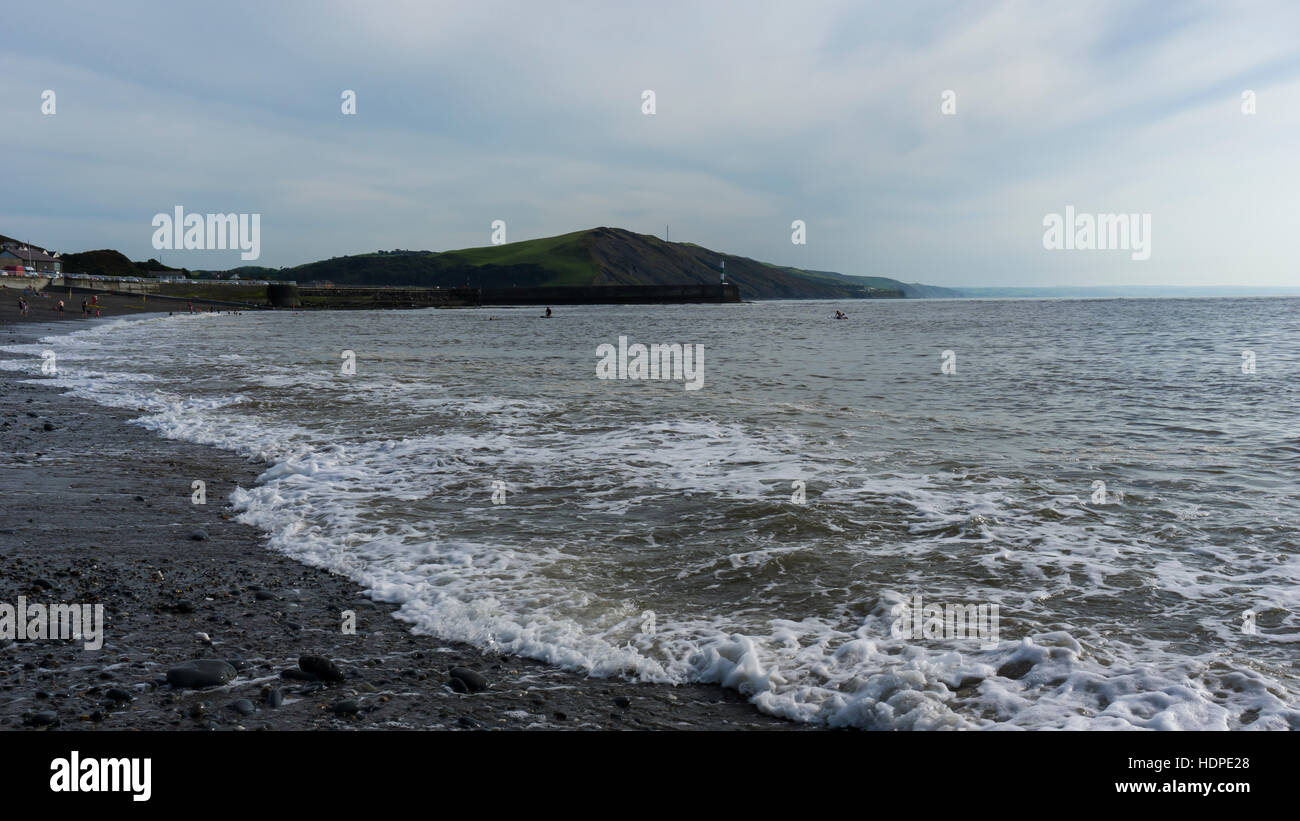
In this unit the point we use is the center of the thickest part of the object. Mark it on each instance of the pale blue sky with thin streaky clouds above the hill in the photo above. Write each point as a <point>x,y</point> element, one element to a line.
<point>534,114</point>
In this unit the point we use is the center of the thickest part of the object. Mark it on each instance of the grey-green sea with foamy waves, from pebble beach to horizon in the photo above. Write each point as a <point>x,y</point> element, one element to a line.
<point>476,471</point>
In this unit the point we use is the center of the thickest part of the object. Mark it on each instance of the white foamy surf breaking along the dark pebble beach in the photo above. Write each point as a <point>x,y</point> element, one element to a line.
<point>670,550</point>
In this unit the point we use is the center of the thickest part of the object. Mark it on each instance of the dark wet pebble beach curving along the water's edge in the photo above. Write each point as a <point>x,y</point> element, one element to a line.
<point>98,511</point>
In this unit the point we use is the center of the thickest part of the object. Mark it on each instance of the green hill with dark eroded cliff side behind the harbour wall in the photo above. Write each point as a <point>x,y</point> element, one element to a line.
<point>596,258</point>
